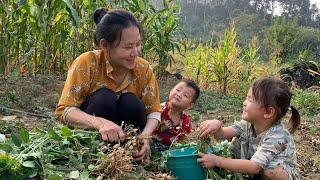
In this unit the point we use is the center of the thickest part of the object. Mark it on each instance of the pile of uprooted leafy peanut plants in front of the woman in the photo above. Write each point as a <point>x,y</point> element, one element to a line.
<point>63,153</point>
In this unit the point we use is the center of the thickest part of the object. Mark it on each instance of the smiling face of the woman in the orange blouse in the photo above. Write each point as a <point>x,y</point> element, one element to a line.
<point>123,55</point>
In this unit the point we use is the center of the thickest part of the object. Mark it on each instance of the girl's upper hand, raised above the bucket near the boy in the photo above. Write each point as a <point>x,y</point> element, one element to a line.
<point>209,127</point>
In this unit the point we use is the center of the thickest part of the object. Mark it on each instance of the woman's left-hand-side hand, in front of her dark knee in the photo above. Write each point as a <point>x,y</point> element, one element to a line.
<point>110,131</point>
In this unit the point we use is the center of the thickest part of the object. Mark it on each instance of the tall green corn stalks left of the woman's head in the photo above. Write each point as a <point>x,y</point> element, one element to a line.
<point>41,36</point>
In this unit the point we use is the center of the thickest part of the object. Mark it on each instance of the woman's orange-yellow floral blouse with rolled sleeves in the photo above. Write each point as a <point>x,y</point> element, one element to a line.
<point>91,71</point>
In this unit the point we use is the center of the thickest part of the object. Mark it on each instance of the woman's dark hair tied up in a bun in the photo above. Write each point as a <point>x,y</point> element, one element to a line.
<point>109,25</point>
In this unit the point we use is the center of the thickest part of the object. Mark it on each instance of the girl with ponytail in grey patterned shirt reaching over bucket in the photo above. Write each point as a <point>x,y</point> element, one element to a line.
<point>262,145</point>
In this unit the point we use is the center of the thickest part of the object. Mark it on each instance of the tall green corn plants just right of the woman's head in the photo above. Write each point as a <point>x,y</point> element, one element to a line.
<point>161,27</point>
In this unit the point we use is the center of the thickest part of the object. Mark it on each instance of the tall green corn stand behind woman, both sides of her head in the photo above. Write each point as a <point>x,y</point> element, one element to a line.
<point>42,36</point>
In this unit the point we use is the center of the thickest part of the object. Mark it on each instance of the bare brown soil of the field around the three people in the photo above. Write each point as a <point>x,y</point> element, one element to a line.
<point>40,94</point>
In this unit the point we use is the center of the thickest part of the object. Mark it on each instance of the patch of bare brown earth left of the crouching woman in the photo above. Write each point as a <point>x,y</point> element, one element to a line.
<point>29,100</point>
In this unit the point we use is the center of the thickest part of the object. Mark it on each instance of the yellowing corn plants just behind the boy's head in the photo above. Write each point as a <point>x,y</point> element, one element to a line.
<point>212,66</point>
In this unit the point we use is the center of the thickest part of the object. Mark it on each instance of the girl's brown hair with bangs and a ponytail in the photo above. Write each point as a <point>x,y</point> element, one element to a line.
<point>272,92</point>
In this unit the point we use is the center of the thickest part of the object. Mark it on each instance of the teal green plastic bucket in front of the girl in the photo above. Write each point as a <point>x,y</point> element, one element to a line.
<point>183,164</point>
